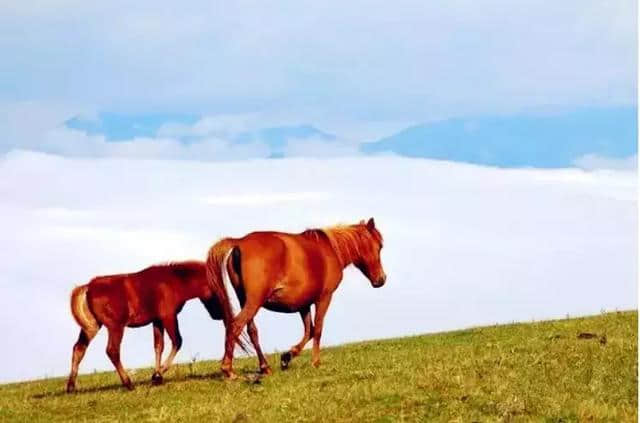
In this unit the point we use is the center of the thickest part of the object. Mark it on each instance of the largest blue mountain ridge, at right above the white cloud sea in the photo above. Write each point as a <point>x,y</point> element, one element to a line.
<point>519,141</point>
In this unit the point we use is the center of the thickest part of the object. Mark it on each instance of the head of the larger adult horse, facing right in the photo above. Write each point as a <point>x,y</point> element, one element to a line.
<point>368,260</point>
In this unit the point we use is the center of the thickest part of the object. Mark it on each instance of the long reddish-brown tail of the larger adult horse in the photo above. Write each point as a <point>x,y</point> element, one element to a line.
<point>217,260</point>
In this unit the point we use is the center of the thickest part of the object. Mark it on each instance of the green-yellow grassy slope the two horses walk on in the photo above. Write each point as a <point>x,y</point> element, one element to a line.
<point>519,372</point>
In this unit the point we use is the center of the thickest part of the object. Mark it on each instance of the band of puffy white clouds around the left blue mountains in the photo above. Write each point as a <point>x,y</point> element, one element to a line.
<point>40,127</point>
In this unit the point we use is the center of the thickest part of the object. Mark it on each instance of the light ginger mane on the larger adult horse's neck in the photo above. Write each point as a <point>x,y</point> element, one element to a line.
<point>346,240</point>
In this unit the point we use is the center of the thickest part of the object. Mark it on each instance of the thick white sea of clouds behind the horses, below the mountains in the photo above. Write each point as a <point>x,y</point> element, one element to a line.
<point>464,245</point>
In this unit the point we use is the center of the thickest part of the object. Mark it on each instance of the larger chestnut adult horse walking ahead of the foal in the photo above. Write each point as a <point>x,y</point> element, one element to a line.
<point>288,273</point>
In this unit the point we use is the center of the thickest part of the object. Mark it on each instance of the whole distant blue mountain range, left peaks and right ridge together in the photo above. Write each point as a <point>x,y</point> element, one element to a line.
<point>545,141</point>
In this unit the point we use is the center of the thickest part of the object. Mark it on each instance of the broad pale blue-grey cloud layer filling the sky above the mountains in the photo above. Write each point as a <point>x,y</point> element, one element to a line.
<point>379,62</point>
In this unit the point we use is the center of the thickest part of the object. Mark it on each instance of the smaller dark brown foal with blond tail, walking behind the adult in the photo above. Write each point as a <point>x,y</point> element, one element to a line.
<point>154,295</point>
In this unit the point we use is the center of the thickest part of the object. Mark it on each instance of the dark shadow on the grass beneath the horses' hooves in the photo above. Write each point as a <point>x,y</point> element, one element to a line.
<point>249,377</point>
